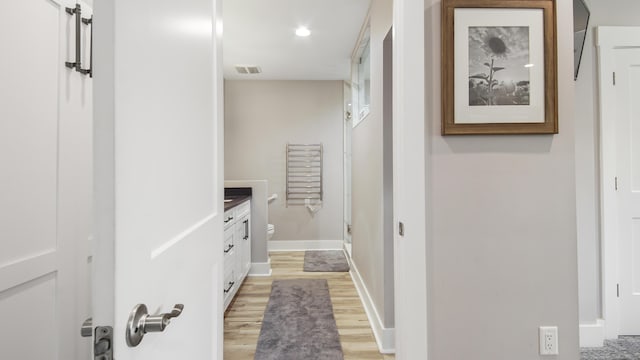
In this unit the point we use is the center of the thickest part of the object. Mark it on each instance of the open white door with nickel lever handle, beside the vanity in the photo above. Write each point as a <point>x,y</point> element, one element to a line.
<point>158,174</point>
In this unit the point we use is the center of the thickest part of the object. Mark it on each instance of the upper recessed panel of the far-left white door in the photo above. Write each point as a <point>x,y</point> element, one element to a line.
<point>29,127</point>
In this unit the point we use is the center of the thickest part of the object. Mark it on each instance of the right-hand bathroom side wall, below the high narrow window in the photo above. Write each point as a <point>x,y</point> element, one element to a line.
<point>371,222</point>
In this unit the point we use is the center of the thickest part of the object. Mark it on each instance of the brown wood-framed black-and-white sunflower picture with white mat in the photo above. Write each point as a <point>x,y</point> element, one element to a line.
<point>499,68</point>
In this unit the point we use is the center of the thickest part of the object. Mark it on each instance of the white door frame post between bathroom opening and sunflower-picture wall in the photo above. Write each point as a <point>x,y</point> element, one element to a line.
<point>410,180</point>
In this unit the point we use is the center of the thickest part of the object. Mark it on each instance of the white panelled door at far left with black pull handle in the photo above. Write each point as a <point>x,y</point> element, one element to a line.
<point>45,183</point>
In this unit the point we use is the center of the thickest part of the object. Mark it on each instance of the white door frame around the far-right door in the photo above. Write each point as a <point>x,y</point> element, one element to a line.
<point>608,39</point>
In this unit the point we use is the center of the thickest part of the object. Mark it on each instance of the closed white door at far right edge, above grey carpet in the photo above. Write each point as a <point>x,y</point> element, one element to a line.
<point>628,182</point>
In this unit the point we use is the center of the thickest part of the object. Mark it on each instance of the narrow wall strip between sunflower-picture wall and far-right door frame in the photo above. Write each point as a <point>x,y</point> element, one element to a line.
<point>614,12</point>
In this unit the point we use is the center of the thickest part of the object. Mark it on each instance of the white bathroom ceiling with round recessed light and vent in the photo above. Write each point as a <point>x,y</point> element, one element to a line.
<point>262,33</point>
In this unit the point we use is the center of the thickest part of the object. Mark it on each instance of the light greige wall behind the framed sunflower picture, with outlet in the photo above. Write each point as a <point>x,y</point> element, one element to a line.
<point>503,259</point>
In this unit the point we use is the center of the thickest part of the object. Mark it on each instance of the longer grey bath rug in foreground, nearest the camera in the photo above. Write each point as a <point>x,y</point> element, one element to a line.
<point>298,323</point>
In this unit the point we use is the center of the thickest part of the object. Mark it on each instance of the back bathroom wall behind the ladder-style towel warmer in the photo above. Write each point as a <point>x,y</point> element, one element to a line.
<point>260,118</point>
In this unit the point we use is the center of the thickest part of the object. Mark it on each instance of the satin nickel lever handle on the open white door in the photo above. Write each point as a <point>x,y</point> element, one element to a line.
<point>140,322</point>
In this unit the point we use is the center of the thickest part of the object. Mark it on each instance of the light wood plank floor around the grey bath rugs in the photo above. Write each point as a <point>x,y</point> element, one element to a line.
<point>244,316</point>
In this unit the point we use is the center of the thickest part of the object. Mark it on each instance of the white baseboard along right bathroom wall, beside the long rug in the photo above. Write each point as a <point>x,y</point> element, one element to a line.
<point>385,337</point>
